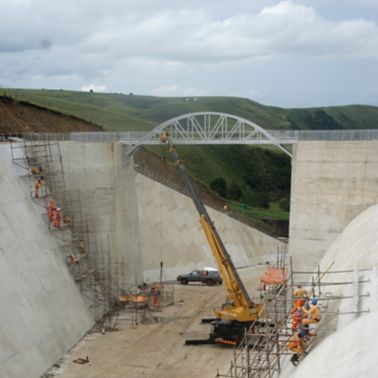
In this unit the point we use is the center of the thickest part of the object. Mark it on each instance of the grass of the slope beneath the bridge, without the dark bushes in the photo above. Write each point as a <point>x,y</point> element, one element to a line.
<point>269,168</point>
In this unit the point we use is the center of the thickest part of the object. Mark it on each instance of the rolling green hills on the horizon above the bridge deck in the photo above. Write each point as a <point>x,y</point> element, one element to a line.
<point>122,112</point>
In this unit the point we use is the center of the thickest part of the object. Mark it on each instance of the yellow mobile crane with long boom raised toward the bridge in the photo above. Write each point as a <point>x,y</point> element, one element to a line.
<point>239,312</point>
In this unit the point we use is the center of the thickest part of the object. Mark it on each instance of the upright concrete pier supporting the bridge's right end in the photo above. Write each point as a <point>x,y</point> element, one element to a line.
<point>332,182</point>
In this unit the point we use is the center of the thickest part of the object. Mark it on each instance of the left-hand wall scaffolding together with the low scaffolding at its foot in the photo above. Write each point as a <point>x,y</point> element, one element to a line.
<point>100,277</point>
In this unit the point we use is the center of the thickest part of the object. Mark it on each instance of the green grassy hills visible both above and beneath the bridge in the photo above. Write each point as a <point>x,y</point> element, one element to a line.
<point>120,112</point>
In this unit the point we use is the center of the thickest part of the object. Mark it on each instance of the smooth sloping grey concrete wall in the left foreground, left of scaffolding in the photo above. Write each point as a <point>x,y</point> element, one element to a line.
<point>42,314</point>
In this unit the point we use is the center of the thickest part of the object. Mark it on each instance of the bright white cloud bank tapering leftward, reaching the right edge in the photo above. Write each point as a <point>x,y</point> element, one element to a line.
<point>286,28</point>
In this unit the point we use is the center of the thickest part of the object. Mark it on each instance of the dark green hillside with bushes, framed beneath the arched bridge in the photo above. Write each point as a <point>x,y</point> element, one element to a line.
<point>255,176</point>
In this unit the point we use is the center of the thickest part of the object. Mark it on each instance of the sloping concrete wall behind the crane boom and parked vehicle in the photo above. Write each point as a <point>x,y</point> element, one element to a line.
<point>171,232</point>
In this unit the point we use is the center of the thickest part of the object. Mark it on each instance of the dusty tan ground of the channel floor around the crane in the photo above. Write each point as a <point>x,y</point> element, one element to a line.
<point>157,349</point>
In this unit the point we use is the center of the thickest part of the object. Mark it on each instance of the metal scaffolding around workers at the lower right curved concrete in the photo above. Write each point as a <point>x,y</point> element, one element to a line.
<point>265,344</point>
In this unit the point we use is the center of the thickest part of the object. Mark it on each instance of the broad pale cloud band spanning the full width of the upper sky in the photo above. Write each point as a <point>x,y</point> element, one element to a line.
<point>186,34</point>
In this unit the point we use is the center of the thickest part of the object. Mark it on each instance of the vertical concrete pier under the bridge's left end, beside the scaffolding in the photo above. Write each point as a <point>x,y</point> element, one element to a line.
<point>104,176</point>
